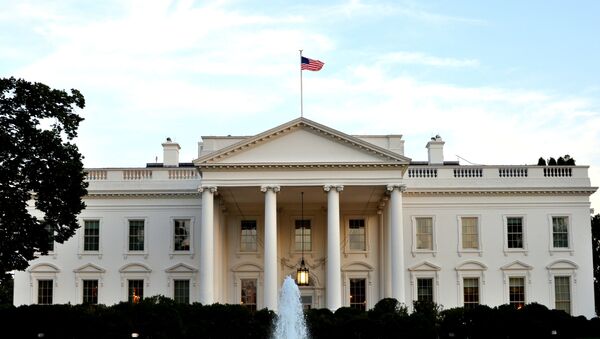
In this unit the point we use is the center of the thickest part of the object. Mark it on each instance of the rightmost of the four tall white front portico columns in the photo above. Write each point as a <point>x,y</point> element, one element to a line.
<point>397,239</point>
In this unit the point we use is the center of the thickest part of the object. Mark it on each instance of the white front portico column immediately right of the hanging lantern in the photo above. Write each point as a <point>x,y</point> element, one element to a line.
<point>334,267</point>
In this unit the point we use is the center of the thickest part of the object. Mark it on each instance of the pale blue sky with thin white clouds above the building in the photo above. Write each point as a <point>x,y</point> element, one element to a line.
<point>503,82</point>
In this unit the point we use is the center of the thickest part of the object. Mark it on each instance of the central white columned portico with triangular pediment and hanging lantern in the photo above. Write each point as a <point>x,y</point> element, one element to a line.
<point>345,180</point>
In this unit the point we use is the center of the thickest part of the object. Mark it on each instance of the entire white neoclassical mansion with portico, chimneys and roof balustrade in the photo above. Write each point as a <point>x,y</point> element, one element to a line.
<point>368,221</point>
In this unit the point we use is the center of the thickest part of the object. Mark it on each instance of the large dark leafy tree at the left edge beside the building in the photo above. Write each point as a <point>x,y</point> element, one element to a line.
<point>39,163</point>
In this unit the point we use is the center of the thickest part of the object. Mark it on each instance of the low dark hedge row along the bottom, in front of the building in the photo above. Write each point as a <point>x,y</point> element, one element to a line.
<point>160,317</point>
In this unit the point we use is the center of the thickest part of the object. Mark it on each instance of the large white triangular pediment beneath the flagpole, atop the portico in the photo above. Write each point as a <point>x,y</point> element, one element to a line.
<point>302,141</point>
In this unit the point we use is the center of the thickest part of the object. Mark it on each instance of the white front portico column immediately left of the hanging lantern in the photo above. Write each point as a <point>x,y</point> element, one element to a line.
<point>270,264</point>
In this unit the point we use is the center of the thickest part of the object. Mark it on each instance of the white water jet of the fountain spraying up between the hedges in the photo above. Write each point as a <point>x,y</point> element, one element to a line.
<point>290,322</point>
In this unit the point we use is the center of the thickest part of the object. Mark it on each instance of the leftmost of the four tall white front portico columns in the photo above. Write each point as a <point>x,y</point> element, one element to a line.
<point>207,273</point>
